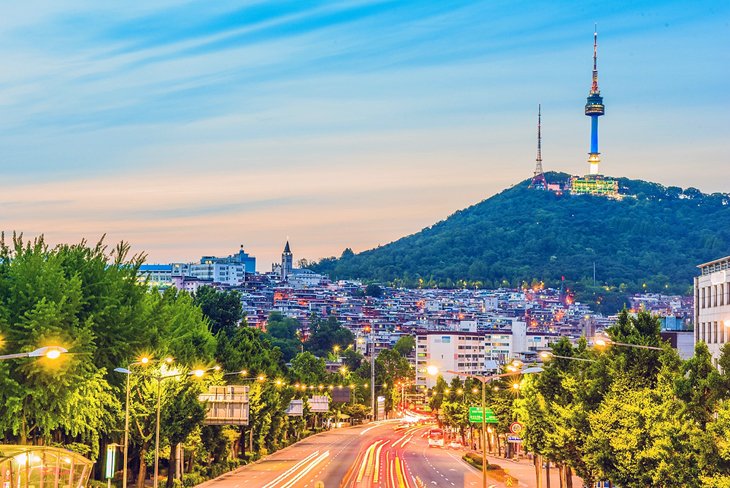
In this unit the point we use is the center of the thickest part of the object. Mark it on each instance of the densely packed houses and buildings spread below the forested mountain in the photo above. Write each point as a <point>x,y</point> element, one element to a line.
<point>509,322</point>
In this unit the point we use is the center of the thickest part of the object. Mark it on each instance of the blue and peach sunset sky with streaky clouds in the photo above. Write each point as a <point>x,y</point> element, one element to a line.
<point>189,128</point>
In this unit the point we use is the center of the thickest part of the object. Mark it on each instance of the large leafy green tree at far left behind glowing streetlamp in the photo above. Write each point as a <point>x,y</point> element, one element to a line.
<point>43,301</point>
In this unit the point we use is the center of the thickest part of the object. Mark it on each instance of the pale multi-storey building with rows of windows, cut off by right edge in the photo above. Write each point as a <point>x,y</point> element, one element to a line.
<point>712,305</point>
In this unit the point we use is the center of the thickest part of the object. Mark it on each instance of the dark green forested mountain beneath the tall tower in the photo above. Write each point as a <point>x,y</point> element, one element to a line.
<point>650,240</point>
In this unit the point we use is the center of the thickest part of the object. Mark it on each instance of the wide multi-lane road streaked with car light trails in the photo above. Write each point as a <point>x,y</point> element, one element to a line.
<point>383,454</point>
